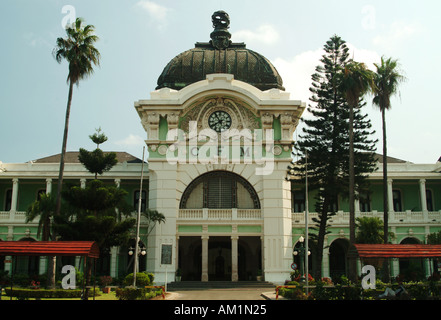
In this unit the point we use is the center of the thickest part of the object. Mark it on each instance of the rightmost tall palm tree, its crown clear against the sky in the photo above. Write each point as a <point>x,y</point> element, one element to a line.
<point>387,79</point>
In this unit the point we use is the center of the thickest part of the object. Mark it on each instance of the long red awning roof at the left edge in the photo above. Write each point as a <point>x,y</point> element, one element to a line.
<point>49,248</point>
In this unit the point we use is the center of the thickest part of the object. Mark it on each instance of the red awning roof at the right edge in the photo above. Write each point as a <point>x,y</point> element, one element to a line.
<point>398,250</point>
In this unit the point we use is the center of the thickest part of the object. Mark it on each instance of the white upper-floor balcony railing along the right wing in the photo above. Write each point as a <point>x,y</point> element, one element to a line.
<point>419,217</point>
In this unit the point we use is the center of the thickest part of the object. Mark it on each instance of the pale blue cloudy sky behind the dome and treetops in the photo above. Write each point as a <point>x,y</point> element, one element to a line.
<point>139,37</point>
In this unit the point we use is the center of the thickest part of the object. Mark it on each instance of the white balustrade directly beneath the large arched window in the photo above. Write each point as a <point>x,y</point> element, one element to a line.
<point>219,214</point>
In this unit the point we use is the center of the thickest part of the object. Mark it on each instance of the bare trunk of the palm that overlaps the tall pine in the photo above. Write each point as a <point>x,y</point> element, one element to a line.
<point>352,261</point>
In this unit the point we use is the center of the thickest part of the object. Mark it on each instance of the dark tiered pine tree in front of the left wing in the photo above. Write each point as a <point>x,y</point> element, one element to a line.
<point>93,208</point>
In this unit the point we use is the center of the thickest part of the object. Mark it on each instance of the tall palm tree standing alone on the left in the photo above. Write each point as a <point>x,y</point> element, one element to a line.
<point>79,51</point>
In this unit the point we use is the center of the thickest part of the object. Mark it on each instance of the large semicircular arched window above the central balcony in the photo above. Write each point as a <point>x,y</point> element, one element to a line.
<point>220,190</point>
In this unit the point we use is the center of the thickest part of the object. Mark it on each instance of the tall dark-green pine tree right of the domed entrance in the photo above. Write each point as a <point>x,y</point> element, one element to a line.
<point>325,138</point>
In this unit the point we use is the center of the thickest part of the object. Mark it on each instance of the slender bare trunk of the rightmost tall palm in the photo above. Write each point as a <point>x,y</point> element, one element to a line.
<point>386,276</point>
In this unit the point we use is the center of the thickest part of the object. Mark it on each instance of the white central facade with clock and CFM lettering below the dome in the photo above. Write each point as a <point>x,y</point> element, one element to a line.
<point>271,221</point>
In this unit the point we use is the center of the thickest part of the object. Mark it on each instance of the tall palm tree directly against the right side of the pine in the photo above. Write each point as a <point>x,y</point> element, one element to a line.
<point>356,81</point>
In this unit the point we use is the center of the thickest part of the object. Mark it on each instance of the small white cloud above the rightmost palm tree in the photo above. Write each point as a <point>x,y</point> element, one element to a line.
<point>397,34</point>
